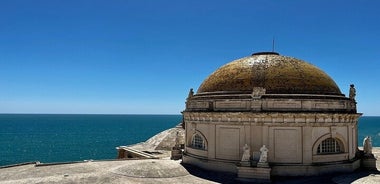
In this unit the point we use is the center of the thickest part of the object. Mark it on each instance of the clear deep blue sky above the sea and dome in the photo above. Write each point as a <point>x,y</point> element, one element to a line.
<point>143,56</point>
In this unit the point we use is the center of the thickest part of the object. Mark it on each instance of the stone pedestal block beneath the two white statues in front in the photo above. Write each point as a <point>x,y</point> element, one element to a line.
<point>254,174</point>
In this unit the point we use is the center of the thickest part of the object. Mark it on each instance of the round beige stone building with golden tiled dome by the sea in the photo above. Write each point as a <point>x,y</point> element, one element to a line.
<point>292,107</point>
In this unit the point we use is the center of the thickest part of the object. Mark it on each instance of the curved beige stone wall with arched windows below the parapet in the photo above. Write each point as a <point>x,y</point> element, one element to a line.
<point>292,138</point>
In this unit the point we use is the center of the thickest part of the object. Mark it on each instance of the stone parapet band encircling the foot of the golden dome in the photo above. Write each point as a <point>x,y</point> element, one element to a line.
<point>271,105</point>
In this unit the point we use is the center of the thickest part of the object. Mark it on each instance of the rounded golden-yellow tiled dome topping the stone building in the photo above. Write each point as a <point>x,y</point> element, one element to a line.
<point>277,74</point>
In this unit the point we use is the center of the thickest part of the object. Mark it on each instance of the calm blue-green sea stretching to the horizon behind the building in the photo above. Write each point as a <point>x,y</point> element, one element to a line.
<point>51,138</point>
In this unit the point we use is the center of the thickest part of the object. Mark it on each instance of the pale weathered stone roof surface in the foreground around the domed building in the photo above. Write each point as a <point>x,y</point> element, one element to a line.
<point>144,171</point>
